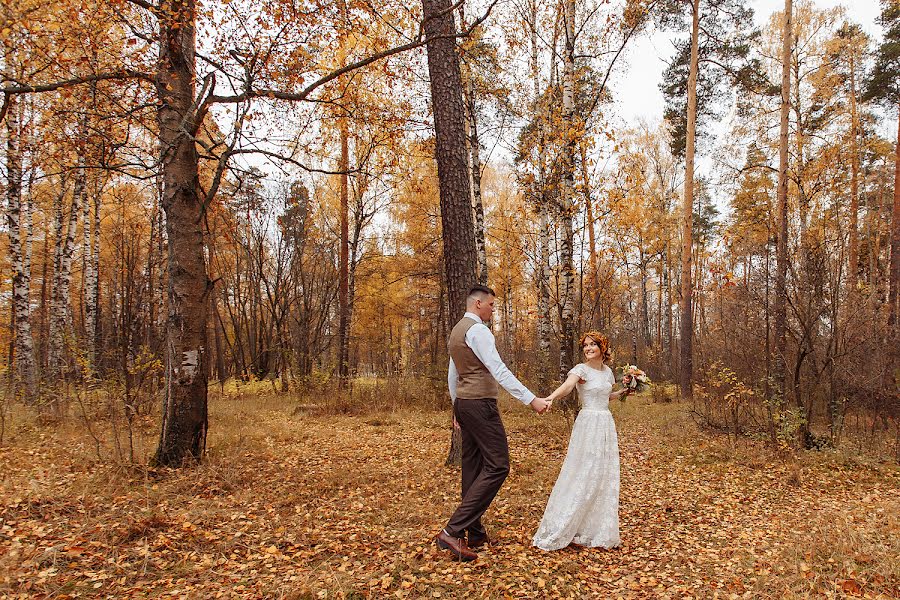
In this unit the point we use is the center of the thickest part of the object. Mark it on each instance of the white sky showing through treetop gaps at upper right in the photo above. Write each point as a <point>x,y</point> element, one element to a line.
<point>637,94</point>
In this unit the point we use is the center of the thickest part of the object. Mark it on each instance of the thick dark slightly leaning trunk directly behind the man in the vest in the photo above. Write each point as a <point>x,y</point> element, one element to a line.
<point>453,173</point>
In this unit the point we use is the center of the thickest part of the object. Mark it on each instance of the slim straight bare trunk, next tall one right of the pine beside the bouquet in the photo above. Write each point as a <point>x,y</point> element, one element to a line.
<point>781,257</point>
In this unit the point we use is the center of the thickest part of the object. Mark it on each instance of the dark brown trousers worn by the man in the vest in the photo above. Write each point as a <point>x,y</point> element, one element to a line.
<point>485,463</point>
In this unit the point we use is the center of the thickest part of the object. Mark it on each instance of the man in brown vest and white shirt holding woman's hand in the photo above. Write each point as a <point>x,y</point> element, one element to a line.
<point>475,370</point>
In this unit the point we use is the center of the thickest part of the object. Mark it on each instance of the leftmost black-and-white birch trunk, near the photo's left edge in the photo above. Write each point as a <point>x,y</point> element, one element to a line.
<point>25,363</point>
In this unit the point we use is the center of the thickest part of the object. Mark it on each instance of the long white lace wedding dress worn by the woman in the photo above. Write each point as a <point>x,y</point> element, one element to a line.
<point>584,505</point>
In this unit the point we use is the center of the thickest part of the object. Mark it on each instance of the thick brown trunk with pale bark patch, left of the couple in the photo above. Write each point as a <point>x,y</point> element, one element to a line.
<point>184,419</point>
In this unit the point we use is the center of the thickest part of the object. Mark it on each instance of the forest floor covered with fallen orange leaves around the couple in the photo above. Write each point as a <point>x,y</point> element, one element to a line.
<point>289,504</point>
